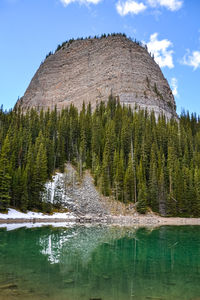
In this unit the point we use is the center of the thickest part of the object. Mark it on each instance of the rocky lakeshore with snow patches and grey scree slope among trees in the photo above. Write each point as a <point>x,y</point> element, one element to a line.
<point>85,205</point>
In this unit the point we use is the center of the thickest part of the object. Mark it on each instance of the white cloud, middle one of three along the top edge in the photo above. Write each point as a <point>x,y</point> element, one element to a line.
<point>130,7</point>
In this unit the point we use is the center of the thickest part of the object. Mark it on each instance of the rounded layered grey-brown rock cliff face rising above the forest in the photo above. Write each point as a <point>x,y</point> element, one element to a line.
<point>90,70</point>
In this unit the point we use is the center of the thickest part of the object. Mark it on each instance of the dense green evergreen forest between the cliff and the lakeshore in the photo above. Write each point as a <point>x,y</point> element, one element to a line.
<point>132,156</point>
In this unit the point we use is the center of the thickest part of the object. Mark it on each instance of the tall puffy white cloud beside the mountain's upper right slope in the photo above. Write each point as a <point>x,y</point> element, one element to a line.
<point>162,55</point>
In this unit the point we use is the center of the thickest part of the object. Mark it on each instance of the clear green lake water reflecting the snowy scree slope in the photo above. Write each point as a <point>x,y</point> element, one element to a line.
<point>107,263</point>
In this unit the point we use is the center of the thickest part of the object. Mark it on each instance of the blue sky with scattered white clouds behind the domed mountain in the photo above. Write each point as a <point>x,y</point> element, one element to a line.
<point>29,29</point>
